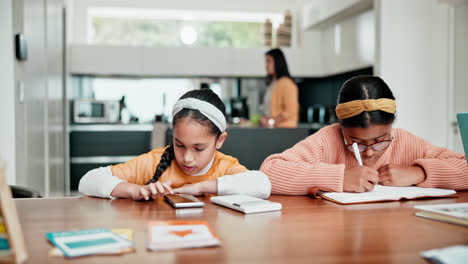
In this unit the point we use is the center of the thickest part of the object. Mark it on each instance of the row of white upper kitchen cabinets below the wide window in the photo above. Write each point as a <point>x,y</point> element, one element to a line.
<point>185,61</point>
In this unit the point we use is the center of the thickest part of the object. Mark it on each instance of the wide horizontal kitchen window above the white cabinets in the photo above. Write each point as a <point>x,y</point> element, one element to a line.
<point>176,28</point>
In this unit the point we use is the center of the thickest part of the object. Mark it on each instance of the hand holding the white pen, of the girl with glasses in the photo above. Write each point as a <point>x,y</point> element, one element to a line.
<point>360,179</point>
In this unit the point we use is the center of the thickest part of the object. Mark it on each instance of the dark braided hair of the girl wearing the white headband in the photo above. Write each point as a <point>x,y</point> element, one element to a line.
<point>204,95</point>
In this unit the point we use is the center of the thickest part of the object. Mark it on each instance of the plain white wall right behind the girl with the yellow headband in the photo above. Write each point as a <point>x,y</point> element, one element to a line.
<point>412,47</point>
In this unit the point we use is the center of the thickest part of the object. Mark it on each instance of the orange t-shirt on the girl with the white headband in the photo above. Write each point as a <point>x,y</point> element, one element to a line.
<point>142,168</point>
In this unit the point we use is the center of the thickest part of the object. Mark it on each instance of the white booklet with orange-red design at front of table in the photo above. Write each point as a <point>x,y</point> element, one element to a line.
<point>164,235</point>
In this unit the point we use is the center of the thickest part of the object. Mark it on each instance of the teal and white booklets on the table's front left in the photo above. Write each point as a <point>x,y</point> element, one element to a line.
<point>101,241</point>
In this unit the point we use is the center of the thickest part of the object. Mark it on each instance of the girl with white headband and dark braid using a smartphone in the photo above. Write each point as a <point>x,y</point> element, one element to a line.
<point>191,164</point>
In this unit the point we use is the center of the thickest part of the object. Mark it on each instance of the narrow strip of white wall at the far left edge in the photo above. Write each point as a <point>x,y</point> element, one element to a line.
<point>7,91</point>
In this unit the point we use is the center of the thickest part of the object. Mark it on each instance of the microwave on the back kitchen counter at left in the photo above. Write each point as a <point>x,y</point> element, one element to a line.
<point>95,111</point>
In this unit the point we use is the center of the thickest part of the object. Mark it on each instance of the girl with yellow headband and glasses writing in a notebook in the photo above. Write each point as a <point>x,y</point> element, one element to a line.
<point>390,156</point>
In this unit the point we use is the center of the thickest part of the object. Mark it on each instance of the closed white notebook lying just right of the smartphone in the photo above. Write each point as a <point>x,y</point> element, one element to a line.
<point>246,204</point>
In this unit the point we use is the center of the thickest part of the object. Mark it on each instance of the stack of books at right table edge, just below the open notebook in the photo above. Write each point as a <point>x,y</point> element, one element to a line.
<point>455,213</point>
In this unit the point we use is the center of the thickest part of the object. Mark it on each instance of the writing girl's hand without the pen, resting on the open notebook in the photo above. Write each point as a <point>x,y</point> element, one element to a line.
<point>396,175</point>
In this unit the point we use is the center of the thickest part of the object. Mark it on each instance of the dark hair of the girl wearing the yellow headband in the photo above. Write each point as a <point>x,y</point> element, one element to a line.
<point>362,88</point>
